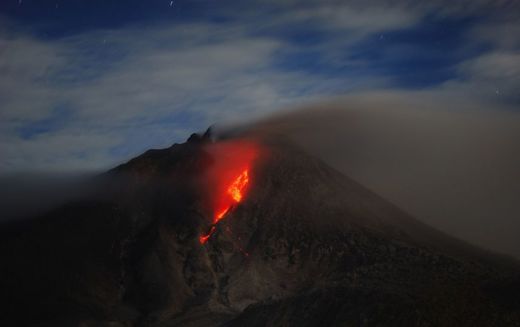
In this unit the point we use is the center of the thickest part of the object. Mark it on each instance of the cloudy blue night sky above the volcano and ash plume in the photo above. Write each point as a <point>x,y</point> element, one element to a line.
<point>85,85</point>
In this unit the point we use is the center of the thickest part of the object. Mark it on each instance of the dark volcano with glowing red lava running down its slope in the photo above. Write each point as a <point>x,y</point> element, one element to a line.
<point>244,232</point>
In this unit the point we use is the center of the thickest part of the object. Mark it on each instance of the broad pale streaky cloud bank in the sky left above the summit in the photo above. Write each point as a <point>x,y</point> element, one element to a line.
<point>161,79</point>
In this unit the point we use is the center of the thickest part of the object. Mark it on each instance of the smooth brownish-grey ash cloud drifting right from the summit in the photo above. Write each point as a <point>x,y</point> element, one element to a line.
<point>450,162</point>
